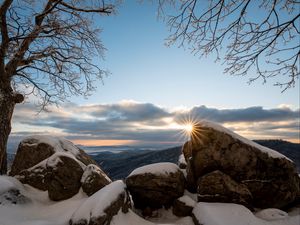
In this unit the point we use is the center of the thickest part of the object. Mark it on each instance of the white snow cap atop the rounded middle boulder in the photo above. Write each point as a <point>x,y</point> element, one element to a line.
<point>157,169</point>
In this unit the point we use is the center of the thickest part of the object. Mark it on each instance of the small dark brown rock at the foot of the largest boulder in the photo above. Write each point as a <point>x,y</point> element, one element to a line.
<point>219,187</point>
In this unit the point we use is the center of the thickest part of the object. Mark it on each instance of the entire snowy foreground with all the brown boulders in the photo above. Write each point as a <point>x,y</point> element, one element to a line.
<point>223,179</point>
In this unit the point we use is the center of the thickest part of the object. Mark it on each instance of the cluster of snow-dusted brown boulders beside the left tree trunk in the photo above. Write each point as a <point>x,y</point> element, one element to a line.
<point>58,167</point>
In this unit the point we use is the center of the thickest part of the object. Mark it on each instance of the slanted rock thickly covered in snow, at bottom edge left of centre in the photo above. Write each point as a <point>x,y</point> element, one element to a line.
<point>100,208</point>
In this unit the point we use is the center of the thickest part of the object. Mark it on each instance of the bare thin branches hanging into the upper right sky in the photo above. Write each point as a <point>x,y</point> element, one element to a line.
<point>256,37</point>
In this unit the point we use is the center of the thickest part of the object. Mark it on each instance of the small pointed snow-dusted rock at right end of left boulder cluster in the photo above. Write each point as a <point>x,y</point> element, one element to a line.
<point>93,179</point>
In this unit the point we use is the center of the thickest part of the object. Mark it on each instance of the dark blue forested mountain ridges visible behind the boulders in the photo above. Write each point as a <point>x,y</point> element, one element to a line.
<point>118,164</point>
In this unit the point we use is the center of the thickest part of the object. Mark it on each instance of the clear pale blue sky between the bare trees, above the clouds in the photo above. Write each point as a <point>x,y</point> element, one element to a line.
<point>144,69</point>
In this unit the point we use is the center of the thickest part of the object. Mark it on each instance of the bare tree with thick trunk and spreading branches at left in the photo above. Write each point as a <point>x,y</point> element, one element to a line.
<point>47,49</point>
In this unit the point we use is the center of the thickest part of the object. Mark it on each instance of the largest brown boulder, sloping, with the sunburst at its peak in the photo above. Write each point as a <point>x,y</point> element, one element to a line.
<point>269,176</point>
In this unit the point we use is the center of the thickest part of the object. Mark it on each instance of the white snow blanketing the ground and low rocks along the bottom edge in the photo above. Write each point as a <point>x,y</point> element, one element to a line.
<point>41,211</point>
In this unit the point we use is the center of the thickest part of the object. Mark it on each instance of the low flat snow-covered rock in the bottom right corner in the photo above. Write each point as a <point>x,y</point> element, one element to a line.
<point>233,214</point>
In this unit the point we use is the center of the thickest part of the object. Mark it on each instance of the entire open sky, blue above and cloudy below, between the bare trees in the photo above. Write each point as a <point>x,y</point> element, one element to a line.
<point>151,86</point>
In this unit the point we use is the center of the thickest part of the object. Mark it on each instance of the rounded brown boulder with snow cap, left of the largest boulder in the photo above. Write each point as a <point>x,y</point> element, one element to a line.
<point>155,185</point>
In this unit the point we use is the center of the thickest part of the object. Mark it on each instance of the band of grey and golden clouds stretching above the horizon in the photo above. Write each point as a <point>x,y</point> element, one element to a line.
<point>149,123</point>
